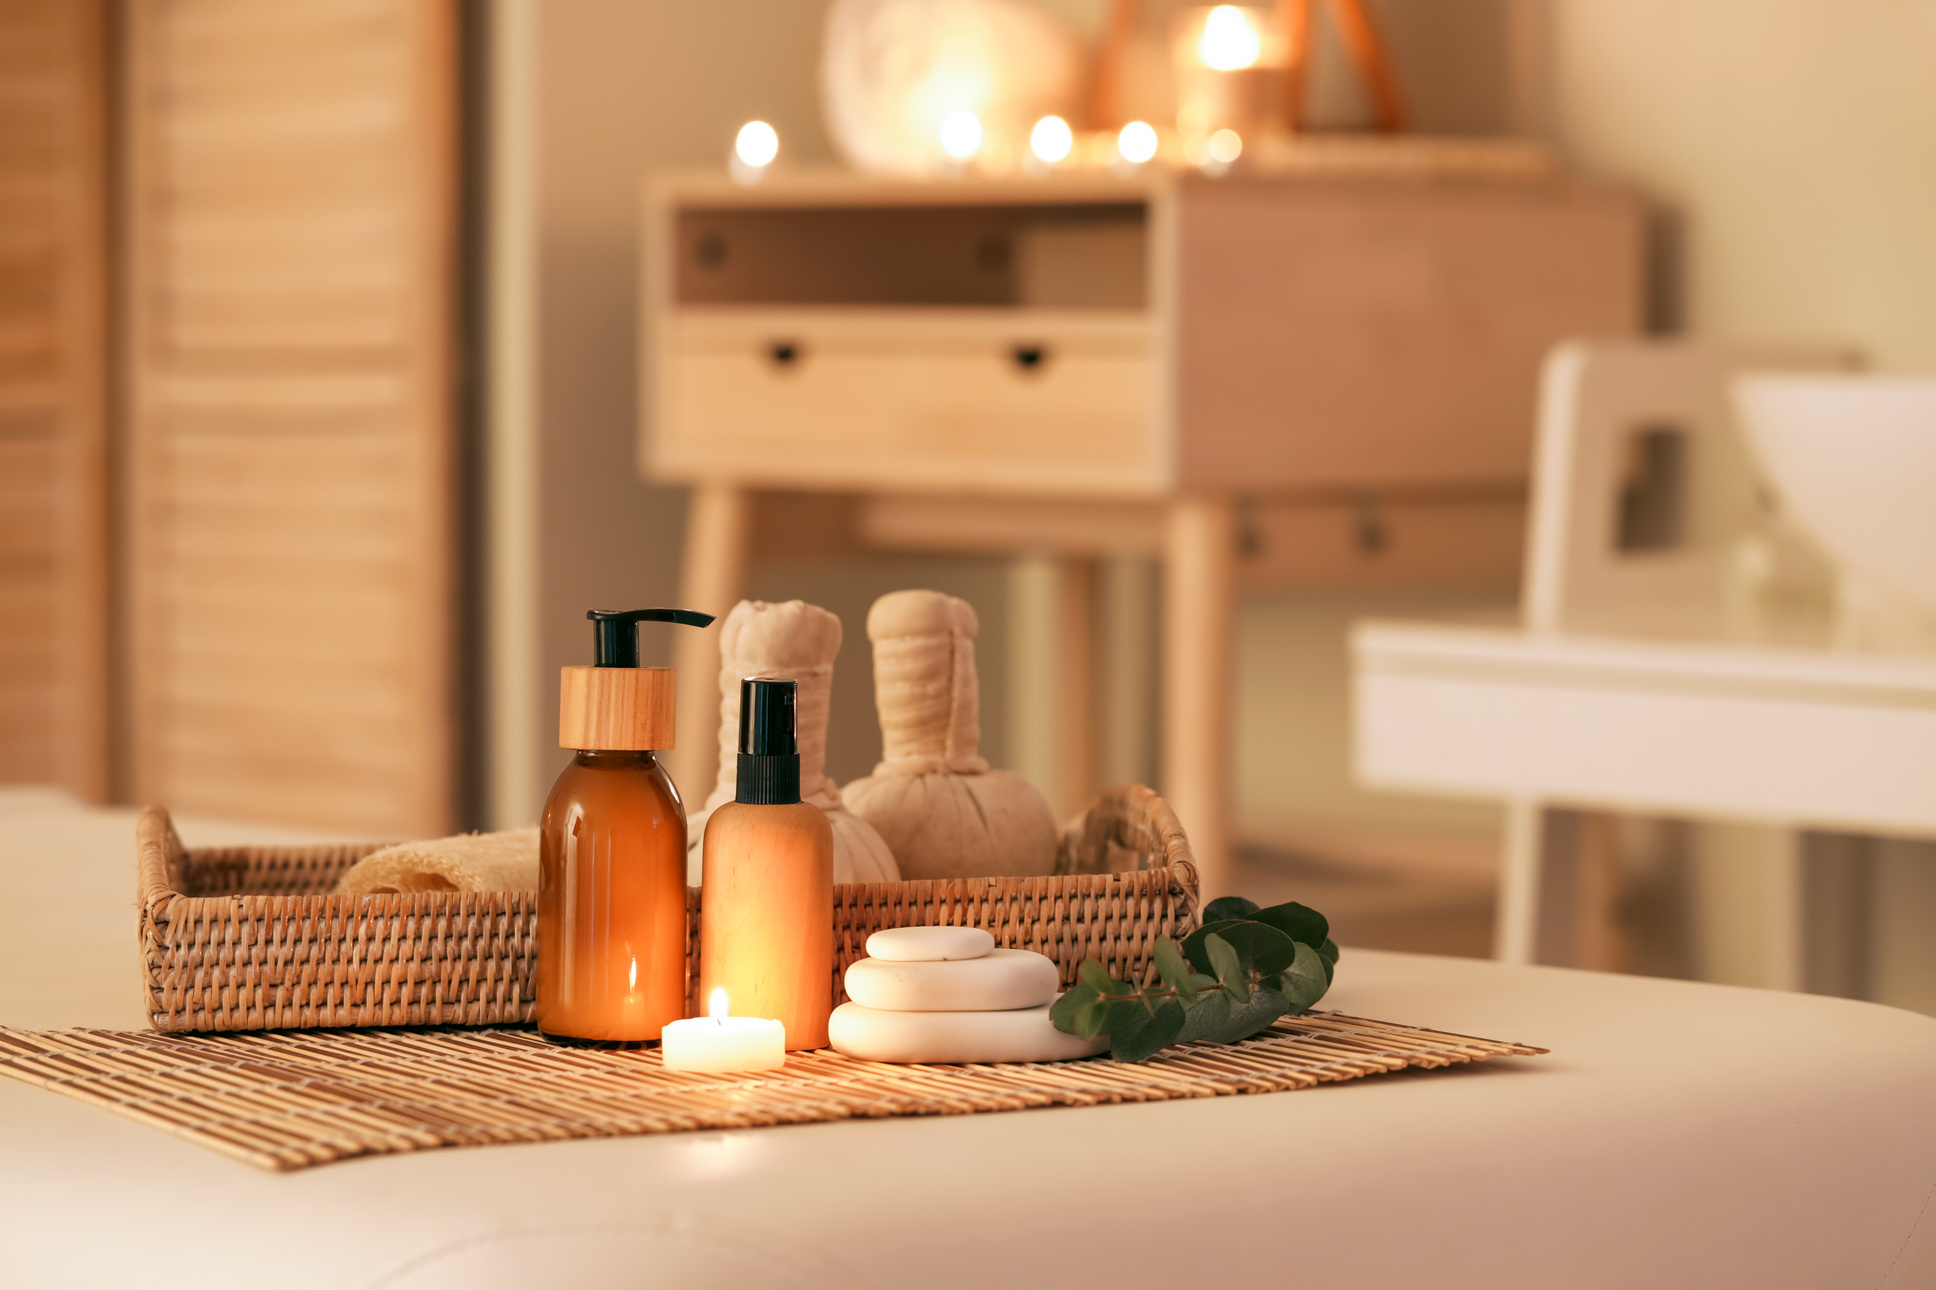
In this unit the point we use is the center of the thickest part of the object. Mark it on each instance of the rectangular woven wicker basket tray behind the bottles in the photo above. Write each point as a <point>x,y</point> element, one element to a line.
<point>255,938</point>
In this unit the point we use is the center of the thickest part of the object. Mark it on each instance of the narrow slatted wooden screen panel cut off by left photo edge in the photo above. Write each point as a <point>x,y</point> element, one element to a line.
<point>51,394</point>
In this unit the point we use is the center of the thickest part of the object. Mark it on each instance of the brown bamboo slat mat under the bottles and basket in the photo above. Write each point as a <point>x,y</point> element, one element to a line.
<point>291,1099</point>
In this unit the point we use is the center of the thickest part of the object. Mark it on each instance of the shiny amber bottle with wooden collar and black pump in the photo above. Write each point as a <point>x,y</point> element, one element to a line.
<point>613,849</point>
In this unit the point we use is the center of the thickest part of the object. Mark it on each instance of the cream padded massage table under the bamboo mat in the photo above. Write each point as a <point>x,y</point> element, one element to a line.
<point>1678,1136</point>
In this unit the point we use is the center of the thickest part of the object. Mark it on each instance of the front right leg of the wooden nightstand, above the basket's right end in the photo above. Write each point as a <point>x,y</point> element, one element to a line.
<point>1199,607</point>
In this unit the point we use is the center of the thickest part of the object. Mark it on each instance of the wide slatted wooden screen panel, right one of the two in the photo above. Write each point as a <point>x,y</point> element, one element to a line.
<point>291,261</point>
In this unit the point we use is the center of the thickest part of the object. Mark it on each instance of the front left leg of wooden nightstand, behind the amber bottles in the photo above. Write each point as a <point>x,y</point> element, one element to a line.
<point>711,582</point>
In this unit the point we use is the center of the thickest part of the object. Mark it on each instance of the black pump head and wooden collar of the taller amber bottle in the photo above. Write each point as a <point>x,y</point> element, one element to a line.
<point>617,706</point>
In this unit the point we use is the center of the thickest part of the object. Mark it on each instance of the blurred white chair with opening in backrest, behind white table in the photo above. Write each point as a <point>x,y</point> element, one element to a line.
<point>1643,493</point>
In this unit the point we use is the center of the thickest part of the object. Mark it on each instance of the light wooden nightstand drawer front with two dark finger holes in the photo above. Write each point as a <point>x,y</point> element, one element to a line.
<point>953,400</point>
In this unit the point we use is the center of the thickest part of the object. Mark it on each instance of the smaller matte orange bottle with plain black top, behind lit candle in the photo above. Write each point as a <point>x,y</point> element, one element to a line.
<point>768,890</point>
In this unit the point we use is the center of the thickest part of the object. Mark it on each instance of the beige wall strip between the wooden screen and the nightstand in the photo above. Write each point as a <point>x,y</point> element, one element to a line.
<point>628,88</point>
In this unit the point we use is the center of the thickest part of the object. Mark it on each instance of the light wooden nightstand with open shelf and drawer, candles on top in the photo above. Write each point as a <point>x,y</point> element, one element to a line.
<point>1091,365</point>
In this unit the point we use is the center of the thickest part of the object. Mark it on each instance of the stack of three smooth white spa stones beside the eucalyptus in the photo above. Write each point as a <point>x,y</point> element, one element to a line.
<point>948,995</point>
